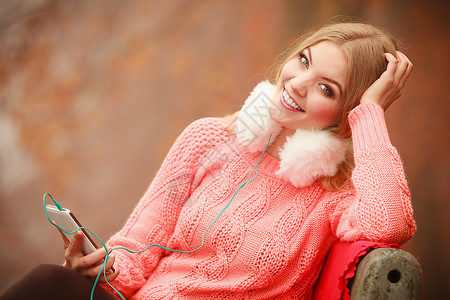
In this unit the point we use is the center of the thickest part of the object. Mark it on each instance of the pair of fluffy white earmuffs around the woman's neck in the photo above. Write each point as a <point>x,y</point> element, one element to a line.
<point>306,156</point>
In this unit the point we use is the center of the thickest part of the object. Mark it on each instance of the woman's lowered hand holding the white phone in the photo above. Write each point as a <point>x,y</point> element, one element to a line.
<point>87,265</point>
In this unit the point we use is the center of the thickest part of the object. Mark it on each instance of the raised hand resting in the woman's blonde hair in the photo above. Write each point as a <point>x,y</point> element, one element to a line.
<point>386,89</point>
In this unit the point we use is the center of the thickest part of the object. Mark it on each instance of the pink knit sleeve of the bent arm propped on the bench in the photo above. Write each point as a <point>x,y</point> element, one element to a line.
<point>379,209</point>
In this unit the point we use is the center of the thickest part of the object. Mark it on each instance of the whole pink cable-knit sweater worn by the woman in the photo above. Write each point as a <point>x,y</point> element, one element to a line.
<point>273,238</point>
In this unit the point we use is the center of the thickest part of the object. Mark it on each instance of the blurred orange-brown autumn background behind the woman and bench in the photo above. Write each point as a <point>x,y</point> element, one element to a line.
<point>93,94</point>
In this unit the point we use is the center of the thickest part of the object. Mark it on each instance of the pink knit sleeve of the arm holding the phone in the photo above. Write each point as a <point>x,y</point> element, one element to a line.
<point>154,218</point>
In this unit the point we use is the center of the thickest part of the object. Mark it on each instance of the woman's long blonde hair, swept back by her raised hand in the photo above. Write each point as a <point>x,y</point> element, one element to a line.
<point>364,46</point>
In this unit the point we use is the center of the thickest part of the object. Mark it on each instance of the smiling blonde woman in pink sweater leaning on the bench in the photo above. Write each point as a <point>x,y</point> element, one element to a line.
<point>255,201</point>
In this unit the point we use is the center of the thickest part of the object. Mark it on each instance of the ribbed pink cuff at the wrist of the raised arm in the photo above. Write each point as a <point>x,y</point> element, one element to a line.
<point>368,126</point>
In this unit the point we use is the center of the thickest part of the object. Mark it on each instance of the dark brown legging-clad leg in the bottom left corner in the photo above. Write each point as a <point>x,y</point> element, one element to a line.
<point>55,282</point>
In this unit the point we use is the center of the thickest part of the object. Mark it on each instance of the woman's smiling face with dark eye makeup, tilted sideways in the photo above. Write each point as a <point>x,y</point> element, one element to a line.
<point>312,87</point>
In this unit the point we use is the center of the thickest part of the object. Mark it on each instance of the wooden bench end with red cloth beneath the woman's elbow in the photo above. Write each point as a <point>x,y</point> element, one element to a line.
<point>383,271</point>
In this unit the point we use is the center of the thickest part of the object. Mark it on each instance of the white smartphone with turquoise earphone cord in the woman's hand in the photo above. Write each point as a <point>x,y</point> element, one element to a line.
<point>67,221</point>
